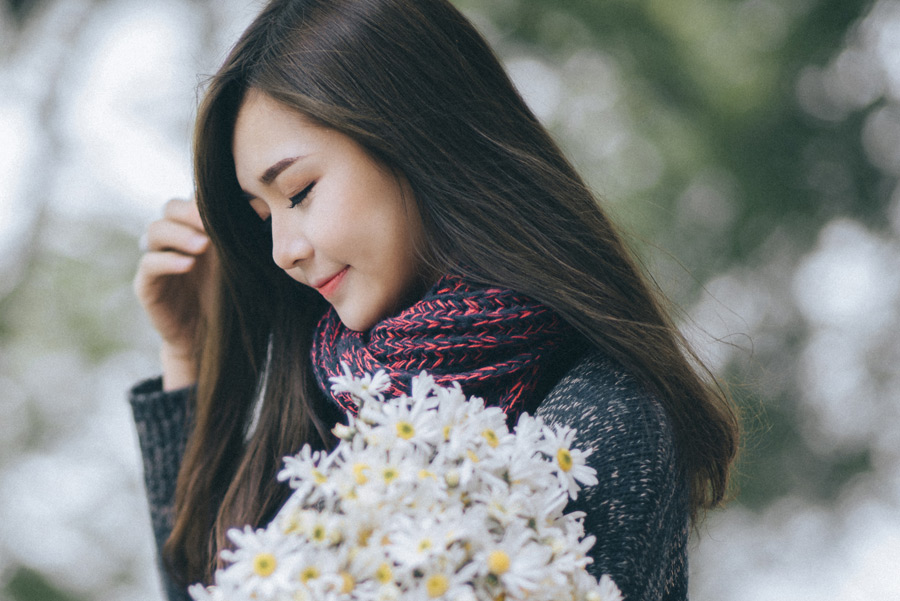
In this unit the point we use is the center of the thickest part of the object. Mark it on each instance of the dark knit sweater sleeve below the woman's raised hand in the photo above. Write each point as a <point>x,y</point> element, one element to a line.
<point>163,421</point>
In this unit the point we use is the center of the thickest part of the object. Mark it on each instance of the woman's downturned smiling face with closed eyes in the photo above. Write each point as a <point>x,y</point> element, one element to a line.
<point>342,223</point>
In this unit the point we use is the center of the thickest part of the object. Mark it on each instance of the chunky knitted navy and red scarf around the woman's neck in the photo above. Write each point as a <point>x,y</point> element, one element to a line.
<point>498,344</point>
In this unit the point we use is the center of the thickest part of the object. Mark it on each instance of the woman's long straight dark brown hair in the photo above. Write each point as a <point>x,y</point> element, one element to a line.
<point>418,87</point>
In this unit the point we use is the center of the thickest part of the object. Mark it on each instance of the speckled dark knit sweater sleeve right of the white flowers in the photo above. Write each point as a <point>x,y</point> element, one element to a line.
<point>638,511</point>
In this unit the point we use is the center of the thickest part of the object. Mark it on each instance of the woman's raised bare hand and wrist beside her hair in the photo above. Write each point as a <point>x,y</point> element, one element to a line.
<point>174,282</point>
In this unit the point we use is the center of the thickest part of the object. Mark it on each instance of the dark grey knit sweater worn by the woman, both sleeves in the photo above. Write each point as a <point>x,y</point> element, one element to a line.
<point>638,511</point>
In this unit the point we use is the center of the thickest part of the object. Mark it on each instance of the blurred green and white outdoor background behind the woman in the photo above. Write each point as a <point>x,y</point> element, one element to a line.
<point>750,149</point>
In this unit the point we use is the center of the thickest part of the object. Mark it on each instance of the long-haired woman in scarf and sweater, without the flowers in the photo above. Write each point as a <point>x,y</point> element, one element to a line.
<point>419,217</point>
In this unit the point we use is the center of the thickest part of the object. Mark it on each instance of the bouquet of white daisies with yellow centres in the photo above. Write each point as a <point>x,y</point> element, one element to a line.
<point>426,496</point>
